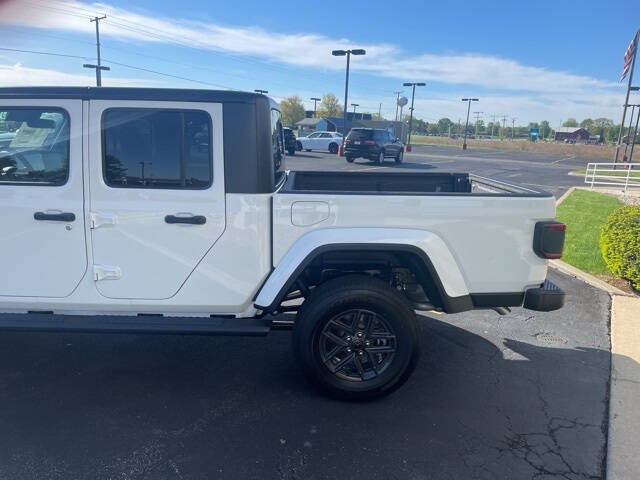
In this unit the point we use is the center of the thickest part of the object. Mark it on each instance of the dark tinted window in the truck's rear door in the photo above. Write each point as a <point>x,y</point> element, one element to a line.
<point>148,148</point>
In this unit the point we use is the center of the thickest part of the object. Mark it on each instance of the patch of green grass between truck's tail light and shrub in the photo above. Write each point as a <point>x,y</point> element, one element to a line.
<point>584,213</point>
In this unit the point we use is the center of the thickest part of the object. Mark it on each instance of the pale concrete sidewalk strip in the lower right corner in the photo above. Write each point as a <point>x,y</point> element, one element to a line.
<point>623,458</point>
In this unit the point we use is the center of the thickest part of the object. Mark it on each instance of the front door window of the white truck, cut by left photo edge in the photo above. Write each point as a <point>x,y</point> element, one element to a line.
<point>34,146</point>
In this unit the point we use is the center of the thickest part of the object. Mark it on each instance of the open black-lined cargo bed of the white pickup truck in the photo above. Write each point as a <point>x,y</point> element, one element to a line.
<point>404,183</point>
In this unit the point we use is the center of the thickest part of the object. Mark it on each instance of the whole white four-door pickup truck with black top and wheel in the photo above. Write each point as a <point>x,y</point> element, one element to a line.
<point>170,211</point>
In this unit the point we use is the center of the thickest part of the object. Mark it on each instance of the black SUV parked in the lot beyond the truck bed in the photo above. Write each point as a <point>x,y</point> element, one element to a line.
<point>374,144</point>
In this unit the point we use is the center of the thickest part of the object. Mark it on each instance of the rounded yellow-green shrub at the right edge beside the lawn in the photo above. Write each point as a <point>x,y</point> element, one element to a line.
<point>620,243</point>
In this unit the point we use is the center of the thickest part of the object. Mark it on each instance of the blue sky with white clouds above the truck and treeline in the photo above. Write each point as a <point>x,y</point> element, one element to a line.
<point>532,61</point>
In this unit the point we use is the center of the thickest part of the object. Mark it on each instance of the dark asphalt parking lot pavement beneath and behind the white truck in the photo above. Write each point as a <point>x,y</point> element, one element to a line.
<point>511,397</point>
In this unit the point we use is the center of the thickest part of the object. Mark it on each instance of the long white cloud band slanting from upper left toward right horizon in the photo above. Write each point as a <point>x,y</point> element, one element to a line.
<point>536,88</point>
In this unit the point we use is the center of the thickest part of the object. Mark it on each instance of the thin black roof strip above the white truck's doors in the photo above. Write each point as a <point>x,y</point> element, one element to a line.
<point>126,93</point>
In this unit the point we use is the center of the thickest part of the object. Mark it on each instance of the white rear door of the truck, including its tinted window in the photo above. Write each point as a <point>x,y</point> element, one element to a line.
<point>157,194</point>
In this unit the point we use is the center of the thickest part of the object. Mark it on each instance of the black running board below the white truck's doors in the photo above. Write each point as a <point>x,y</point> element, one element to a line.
<point>154,324</point>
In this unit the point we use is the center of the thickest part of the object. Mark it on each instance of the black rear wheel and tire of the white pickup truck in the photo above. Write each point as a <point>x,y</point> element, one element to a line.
<point>352,362</point>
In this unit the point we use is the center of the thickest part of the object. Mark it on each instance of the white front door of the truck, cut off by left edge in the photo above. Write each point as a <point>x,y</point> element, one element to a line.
<point>42,235</point>
